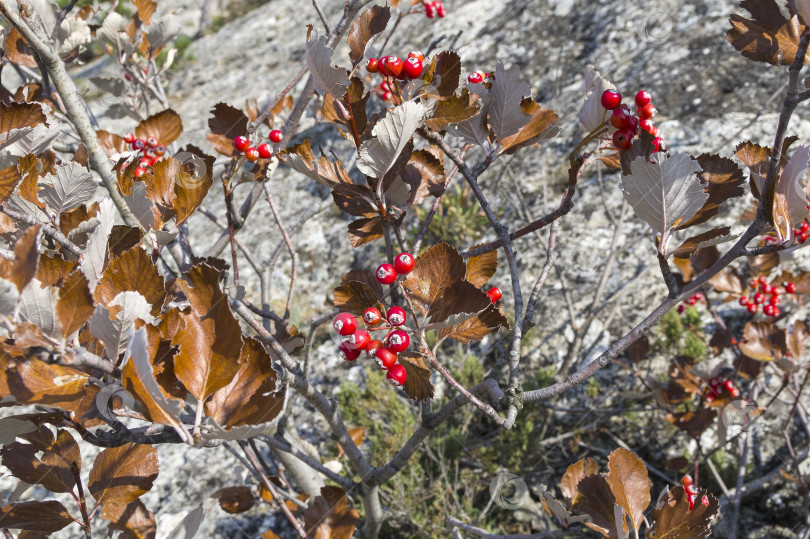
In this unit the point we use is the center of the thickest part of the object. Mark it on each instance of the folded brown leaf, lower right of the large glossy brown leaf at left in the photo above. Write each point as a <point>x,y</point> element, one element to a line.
<point>253,396</point>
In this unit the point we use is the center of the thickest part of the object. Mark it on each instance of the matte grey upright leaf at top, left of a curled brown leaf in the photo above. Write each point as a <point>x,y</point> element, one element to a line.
<point>508,91</point>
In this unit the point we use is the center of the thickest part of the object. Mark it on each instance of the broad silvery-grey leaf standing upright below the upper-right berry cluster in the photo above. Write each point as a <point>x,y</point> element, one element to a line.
<point>665,192</point>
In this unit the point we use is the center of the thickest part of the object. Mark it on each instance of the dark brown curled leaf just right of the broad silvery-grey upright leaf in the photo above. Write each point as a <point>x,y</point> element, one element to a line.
<point>725,181</point>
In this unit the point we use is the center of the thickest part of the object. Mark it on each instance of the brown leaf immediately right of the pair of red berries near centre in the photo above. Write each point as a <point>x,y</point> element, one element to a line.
<point>435,270</point>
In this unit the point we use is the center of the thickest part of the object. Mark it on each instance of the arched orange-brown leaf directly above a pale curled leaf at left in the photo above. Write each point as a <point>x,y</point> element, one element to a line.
<point>133,271</point>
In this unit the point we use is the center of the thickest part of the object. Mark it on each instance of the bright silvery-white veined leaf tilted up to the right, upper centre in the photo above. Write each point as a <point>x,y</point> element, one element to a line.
<point>390,136</point>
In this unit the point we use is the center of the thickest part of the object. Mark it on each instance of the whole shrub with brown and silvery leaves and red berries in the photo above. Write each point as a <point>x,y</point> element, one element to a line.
<point>116,332</point>
